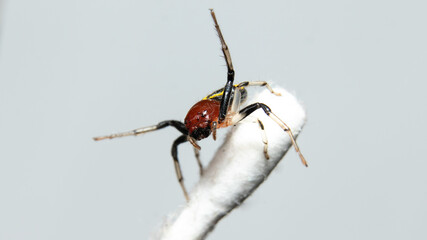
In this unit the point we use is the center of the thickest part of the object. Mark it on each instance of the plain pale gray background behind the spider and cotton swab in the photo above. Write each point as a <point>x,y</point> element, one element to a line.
<point>71,70</point>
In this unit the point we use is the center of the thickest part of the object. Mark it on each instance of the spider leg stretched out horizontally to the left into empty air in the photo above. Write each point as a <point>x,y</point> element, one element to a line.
<point>176,124</point>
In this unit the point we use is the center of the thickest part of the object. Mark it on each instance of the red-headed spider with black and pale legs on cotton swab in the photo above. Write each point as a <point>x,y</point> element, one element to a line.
<point>219,109</point>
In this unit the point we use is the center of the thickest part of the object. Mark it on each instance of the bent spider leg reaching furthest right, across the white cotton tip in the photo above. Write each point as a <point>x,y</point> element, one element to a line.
<point>251,108</point>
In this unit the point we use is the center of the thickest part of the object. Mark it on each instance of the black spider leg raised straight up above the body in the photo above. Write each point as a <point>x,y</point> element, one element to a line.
<point>225,101</point>
